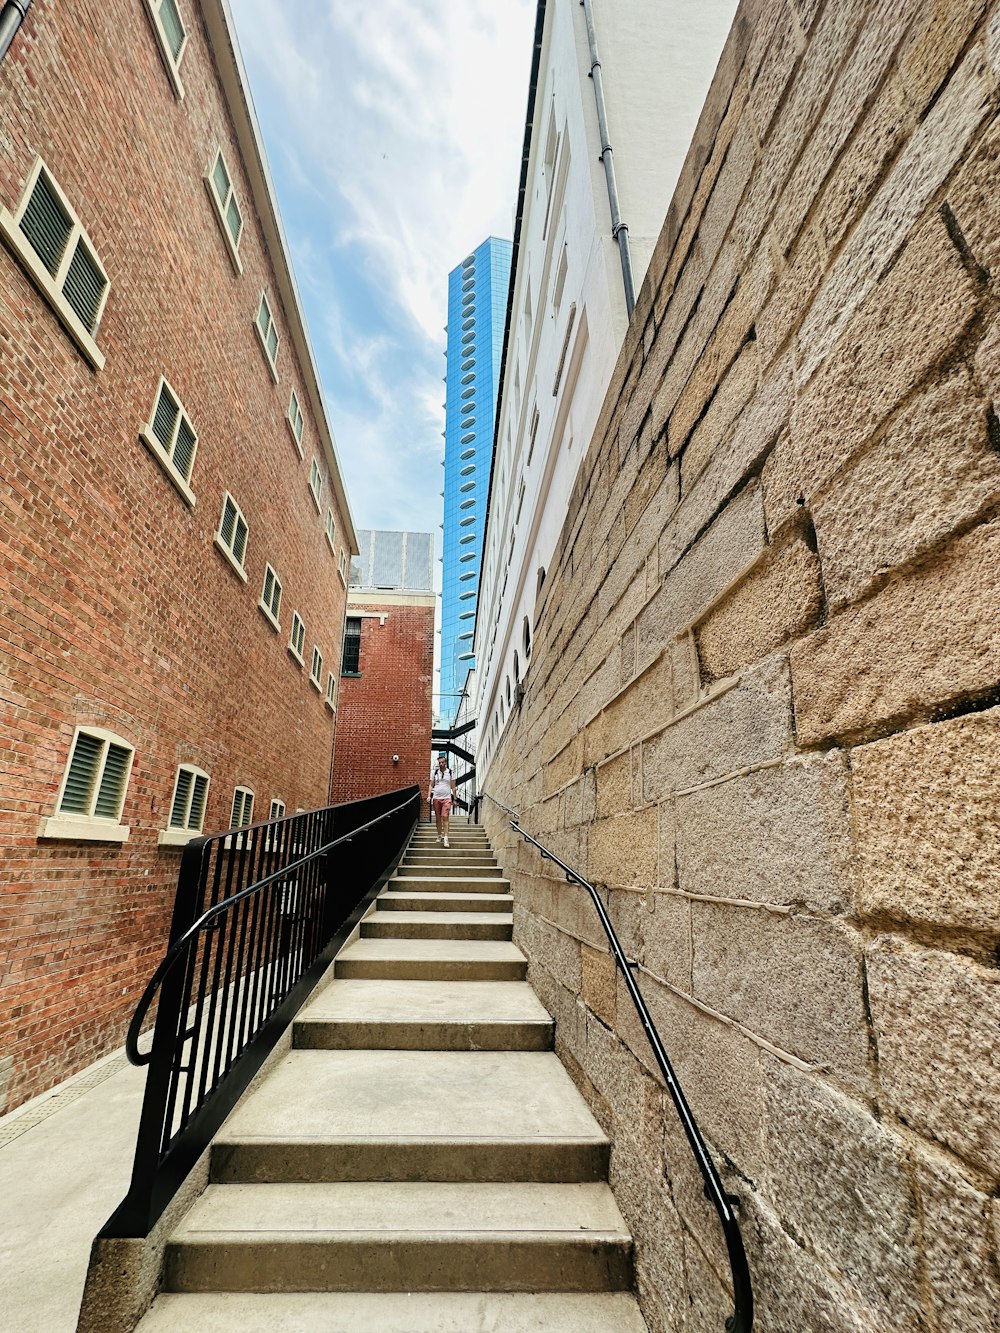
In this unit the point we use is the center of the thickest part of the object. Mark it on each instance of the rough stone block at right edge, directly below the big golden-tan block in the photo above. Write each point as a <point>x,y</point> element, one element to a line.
<point>937,1019</point>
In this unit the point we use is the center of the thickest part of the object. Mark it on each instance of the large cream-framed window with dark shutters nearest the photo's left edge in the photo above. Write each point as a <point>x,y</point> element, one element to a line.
<point>58,255</point>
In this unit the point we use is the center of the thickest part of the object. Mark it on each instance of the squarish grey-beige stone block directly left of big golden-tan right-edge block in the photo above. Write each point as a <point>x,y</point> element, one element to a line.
<point>778,835</point>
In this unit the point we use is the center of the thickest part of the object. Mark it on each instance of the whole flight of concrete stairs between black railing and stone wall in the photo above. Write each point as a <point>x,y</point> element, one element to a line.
<point>421,1162</point>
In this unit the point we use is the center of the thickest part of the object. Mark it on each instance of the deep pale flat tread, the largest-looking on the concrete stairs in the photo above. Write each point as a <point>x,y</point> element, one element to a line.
<point>415,1095</point>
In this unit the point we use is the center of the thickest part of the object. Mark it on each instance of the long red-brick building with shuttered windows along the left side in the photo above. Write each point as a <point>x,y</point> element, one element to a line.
<point>174,529</point>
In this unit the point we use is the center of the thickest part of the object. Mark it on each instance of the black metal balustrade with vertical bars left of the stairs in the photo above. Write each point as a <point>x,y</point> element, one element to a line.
<point>259,914</point>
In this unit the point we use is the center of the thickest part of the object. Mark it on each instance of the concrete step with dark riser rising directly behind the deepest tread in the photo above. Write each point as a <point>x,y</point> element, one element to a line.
<point>425,1016</point>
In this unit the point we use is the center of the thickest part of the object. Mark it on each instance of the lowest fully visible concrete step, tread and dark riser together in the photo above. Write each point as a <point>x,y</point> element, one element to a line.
<point>401,1238</point>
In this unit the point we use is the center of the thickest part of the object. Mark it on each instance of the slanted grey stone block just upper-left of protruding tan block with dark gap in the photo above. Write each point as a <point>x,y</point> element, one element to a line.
<point>730,547</point>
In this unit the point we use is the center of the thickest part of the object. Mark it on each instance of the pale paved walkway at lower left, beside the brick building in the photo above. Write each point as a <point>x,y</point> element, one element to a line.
<point>66,1160</point>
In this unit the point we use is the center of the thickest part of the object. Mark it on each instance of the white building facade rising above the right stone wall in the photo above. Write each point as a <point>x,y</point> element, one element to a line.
<point>569,313</point>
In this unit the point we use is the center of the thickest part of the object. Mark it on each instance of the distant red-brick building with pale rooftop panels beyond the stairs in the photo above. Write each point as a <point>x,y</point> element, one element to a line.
<point>387,670</point>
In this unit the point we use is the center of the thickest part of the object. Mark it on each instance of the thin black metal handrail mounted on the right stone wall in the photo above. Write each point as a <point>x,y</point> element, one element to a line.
<point>725,1204</point>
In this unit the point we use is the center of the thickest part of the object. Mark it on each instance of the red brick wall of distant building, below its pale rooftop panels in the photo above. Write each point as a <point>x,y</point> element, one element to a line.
<point>386,711</point>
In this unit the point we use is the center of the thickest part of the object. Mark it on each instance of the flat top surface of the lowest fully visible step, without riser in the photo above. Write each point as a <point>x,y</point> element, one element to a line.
<point>391,1211</point>
